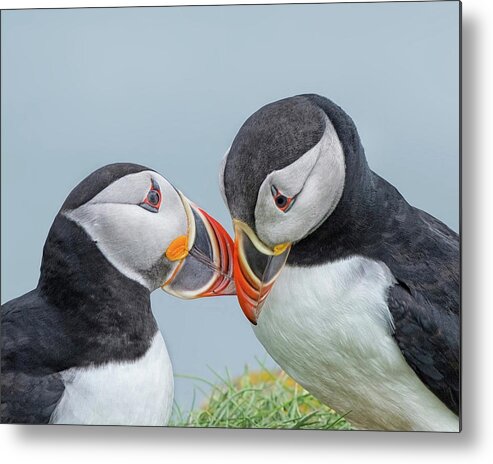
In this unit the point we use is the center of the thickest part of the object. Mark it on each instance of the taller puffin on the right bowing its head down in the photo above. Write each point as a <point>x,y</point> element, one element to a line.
<point>350,289</point>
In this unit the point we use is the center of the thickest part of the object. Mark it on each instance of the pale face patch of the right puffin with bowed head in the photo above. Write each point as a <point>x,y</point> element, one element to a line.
<point>316,181</point>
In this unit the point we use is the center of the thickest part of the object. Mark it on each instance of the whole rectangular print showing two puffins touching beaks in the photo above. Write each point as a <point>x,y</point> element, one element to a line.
<point>316,285</point>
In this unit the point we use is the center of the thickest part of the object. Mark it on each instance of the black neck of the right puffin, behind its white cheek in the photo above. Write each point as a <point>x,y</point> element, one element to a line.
<point>365,201</point>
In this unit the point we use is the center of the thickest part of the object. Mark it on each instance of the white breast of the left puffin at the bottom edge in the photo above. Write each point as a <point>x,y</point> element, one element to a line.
<point>125,393</point>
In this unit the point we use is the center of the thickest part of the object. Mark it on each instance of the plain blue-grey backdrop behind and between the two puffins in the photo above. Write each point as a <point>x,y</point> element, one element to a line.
<point>170,87</point>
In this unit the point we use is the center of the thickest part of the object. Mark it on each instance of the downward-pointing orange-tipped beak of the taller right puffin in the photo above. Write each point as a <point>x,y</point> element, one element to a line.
<point>256,268</point>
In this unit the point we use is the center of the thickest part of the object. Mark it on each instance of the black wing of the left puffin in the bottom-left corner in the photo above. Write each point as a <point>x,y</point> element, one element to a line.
<point>31,386</point>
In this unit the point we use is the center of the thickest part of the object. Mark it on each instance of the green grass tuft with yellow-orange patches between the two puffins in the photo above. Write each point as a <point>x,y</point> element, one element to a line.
<point>260,399</point>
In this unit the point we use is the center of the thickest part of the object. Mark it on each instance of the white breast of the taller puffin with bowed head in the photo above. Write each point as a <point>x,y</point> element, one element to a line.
<point>330,329</point>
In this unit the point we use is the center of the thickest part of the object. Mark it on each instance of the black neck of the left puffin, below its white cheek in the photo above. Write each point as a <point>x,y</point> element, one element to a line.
<point>106,315</point>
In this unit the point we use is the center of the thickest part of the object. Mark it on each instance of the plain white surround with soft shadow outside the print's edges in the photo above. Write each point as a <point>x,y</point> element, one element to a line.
<point>39,444</point>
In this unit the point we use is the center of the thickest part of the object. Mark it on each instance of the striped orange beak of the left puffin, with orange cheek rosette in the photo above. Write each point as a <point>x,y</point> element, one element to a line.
<point>205,258</point>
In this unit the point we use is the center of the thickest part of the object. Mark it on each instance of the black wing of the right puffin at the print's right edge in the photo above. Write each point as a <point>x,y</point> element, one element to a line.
<point>425,306</point>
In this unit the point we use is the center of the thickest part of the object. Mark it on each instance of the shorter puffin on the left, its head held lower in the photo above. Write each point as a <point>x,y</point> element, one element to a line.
<point>83,347</point>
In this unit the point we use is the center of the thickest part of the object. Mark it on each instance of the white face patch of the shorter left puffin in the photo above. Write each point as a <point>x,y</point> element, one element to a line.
<point>132,238</point>
